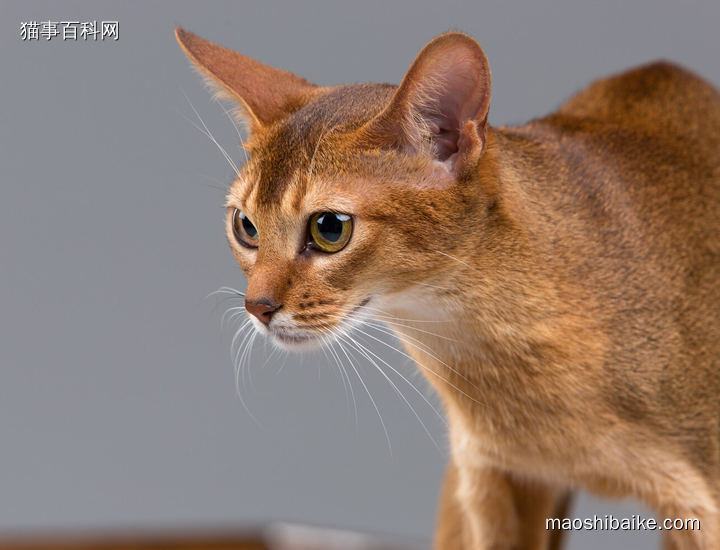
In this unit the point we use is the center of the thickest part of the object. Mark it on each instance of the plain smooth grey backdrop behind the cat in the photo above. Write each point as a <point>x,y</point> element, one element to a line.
<point>117,394</point>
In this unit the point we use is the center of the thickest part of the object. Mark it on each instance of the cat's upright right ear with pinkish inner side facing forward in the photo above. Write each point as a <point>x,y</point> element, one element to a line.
<point>443,102</point>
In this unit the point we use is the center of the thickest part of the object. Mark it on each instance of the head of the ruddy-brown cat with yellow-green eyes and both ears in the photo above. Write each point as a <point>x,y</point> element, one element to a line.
<point>353,196</point>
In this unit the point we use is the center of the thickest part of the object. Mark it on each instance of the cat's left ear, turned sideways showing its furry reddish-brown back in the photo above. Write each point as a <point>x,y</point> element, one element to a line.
<point>265,94</point>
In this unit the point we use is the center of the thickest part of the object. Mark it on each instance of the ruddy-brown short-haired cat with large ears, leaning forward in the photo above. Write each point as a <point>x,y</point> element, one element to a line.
<point>566,272</point>
